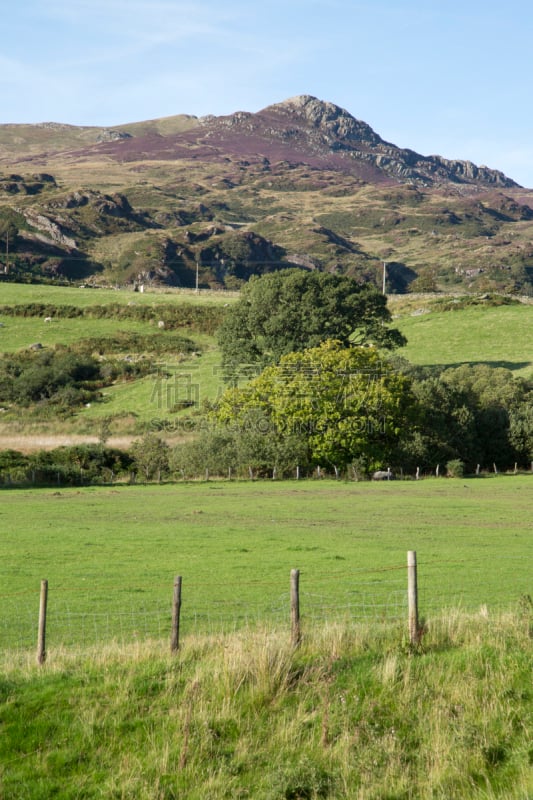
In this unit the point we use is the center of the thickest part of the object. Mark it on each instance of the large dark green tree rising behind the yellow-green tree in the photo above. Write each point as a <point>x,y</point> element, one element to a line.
<point>292,310</point>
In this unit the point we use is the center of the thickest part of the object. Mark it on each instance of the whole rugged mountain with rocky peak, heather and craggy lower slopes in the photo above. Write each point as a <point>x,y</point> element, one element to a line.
<point>299,183</point>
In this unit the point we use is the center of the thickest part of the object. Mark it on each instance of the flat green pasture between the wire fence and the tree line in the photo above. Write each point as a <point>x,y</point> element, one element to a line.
<point>110,554</point>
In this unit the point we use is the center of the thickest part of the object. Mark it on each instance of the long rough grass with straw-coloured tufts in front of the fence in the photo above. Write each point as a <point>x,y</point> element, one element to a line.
<point>351,714</point>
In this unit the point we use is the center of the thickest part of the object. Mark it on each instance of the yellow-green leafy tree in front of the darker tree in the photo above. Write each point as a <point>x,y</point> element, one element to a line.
<point>347,402</point>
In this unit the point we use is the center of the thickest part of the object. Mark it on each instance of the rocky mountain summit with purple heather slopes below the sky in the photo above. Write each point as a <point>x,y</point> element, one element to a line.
<point>299,130</point>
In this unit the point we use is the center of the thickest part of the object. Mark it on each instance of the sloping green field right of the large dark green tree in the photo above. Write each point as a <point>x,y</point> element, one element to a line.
<point>498,336</point>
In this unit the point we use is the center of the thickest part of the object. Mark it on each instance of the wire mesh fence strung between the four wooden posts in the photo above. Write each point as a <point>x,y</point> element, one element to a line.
<point>101,615</point>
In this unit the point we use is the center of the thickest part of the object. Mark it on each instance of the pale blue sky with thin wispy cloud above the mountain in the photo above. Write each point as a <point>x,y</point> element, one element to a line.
<point>443,77</point>
